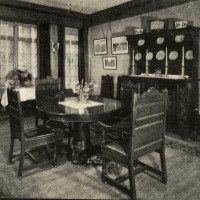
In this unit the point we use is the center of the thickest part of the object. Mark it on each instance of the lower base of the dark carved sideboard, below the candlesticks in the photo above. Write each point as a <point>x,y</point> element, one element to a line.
<point>182,99</point>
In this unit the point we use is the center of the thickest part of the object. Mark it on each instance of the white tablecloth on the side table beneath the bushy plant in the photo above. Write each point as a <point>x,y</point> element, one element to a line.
<point>26,93</point>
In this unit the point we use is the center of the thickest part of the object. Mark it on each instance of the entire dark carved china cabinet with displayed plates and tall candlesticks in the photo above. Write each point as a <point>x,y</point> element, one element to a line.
<point>167,59</point>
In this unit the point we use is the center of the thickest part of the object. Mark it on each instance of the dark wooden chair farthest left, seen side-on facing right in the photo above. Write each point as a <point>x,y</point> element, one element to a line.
<point>30,139</point>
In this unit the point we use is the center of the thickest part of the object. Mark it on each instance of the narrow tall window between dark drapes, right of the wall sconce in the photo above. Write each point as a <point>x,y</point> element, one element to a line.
<point>71,57</point>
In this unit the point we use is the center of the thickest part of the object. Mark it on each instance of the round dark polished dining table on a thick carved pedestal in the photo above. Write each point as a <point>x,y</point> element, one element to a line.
<point>80,114</point>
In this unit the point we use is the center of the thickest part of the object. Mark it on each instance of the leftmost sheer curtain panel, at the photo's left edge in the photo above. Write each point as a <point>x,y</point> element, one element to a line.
<point>6,51</point>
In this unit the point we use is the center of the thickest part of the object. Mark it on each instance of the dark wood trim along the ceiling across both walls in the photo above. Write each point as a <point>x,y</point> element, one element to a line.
<point>26,12</point>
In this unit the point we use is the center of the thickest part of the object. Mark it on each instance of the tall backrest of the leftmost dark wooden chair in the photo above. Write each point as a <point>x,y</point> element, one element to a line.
<point>15,114</point>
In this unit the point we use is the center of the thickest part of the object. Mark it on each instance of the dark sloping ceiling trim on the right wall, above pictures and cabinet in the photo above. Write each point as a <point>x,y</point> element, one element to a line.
<point>131,9</point>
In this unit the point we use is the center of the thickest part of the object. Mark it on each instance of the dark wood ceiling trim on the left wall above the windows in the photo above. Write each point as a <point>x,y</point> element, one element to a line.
<point>31,13</point>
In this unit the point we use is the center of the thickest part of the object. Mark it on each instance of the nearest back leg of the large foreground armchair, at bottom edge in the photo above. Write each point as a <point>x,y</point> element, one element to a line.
<point>131,172</point>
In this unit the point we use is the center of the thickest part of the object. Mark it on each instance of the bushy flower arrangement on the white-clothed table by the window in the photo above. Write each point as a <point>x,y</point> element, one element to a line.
<point>19,76</point>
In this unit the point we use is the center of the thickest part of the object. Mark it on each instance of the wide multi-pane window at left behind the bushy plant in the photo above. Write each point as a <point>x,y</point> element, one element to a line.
<point>18,49</point>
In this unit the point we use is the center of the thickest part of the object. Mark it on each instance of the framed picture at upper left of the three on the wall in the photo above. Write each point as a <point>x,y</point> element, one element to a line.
<point>100,46</point>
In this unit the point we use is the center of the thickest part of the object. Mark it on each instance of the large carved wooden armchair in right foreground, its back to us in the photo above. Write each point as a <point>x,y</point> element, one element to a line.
<point>146,135</point>
